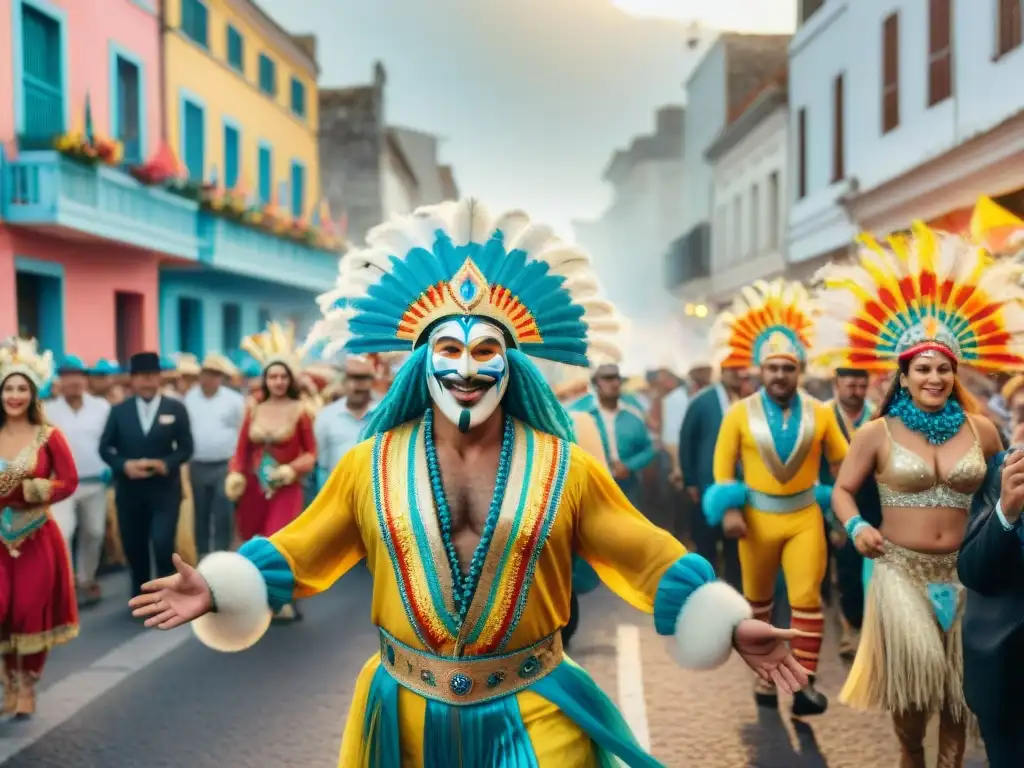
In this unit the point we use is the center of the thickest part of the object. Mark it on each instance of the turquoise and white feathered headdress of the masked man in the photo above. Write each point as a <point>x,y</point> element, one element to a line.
<point>457,260</point>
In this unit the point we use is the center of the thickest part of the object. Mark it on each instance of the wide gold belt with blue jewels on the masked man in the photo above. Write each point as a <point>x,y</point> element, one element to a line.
<point>470,680</point>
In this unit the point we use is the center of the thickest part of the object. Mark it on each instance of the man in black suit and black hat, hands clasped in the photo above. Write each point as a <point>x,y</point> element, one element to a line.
<point>147,440</point>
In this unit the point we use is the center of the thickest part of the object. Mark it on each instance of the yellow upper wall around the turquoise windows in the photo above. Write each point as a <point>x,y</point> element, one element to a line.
<point>205,76</point>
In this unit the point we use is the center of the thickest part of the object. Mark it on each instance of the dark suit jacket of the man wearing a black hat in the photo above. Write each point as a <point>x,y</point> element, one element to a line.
<point>168,440</point>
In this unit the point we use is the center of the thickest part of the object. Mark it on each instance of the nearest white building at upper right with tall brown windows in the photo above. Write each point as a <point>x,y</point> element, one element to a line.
<point>901,110</point>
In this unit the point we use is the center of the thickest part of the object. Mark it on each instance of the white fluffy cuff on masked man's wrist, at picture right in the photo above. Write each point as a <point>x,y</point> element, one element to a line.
<point>705,626</point>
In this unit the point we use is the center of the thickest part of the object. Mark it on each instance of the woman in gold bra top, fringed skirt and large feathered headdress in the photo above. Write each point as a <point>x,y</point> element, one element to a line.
<point>920,309</point>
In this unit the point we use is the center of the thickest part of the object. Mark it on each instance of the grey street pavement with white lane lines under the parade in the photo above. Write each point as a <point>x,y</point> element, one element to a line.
<point>120,698</point>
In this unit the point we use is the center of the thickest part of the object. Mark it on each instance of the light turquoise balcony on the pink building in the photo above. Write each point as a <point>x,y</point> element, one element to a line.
<point>47,190</point>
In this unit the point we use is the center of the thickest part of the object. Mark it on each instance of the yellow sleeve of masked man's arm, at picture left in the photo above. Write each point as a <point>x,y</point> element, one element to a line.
<point>325,542</point>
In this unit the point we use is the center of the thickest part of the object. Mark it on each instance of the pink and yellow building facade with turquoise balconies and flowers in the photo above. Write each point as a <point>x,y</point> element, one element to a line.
<point>101,257</point>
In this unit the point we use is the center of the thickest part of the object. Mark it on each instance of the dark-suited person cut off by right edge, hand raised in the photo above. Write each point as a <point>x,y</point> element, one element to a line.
<point>992,567</point>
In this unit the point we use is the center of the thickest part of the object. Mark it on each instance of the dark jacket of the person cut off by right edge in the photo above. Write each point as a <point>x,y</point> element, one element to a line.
<point>992,567</point>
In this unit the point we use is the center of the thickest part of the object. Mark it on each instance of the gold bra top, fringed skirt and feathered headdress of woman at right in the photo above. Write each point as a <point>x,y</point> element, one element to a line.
<point>927,295</point>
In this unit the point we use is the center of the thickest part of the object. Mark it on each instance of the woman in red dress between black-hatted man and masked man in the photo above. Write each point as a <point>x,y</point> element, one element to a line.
<point>276,447</point>
